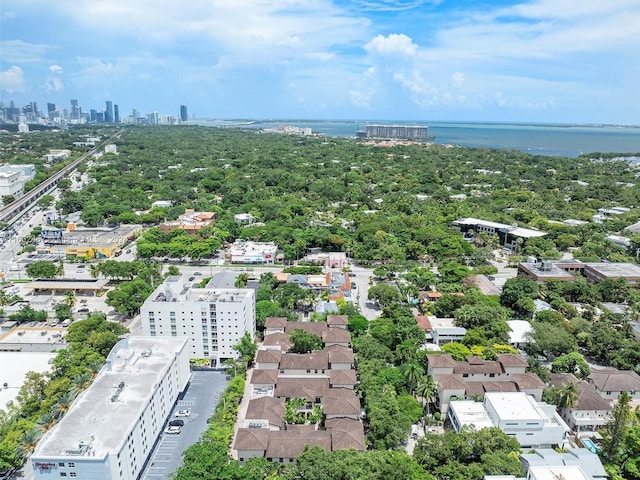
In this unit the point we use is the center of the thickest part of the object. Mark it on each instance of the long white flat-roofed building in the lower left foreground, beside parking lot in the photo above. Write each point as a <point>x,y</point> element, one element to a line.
<point>111,428</point>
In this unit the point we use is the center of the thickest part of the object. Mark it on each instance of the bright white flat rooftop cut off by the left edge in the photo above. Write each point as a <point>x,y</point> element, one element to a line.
<point>13,370</point>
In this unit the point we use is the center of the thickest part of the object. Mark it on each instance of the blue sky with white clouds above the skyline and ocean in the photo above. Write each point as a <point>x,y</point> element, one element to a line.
<point>485,60</point>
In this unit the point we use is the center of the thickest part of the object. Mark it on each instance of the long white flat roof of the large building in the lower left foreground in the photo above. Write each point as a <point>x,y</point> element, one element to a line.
<point>98,421</point>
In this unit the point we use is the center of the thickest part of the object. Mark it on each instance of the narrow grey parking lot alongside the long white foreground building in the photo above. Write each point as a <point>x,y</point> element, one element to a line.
<point>200,398</point>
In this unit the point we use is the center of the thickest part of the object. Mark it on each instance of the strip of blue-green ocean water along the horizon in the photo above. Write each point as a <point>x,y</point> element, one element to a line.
<point>548,139</point>
